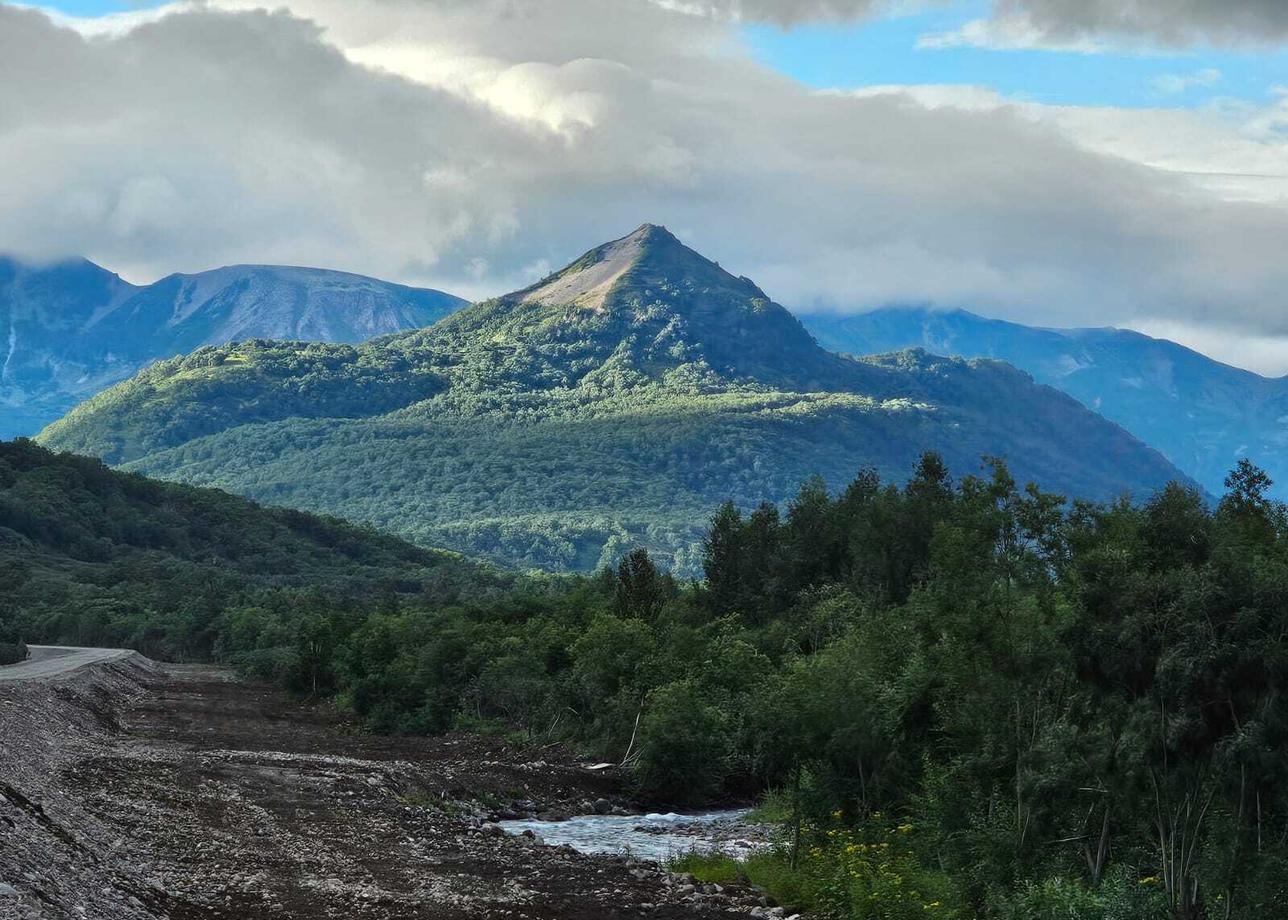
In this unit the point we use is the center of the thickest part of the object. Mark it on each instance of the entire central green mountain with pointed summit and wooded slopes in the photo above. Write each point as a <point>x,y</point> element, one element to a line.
<point>616,403</point>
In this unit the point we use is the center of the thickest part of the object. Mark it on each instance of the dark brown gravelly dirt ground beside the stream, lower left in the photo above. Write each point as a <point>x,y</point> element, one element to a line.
<point>135,792</point>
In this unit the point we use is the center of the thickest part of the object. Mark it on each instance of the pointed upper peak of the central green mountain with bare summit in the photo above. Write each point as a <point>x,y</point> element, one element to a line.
<point>643,307</point>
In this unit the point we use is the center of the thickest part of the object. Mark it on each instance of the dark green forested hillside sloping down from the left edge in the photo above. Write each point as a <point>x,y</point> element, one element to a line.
<point>93,556</point>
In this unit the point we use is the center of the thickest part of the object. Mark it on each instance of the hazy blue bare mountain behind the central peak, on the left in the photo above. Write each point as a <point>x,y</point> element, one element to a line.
<point>74,329</point>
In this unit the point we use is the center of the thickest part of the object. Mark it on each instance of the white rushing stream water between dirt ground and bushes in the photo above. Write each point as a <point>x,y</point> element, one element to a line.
<point>649,837</point>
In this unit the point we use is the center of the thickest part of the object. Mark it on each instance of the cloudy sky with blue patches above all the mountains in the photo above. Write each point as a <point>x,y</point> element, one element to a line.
<point>1061,163</point>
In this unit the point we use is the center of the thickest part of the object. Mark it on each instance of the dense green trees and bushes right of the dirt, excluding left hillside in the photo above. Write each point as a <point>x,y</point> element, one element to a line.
<point>1057,711</point>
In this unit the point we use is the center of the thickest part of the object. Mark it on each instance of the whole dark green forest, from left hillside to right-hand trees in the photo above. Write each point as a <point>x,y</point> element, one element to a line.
<point>961,699</point>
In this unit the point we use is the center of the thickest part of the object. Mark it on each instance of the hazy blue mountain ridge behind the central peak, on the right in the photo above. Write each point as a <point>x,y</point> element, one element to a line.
<point>1201,414</point>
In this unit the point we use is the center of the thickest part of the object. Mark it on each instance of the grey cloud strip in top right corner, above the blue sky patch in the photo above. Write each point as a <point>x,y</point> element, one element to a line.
<point>1097,25</point>
